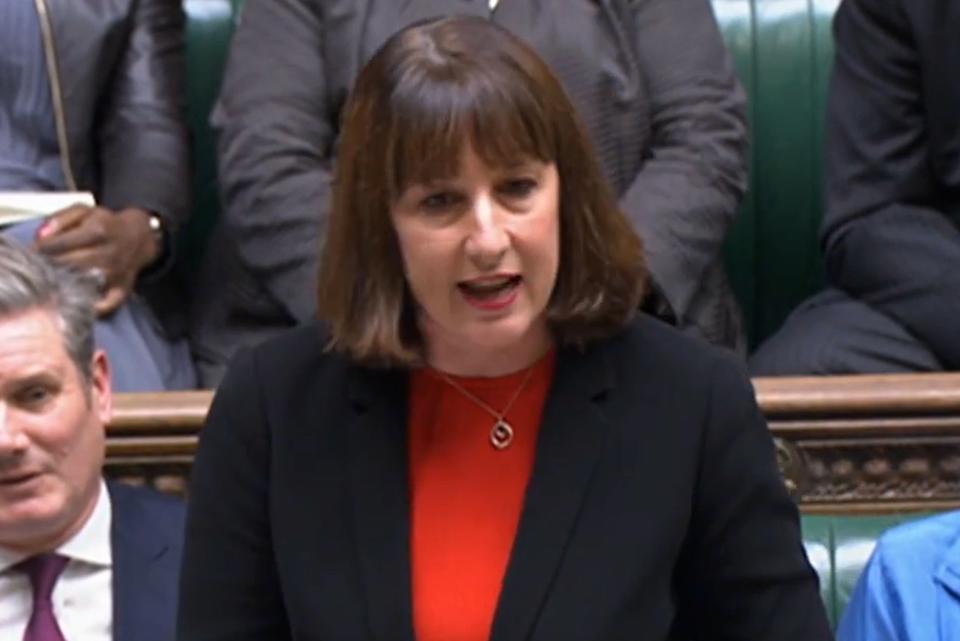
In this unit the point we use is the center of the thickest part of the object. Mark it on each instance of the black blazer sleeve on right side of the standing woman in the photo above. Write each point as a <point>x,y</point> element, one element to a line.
<point>745,572</point>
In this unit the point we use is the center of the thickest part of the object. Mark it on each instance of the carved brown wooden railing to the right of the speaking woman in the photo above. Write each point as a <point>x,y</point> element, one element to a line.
<point>867,443</point>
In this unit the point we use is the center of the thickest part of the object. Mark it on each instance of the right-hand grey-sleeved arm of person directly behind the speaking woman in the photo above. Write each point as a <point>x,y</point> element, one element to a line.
<point>686,194</point>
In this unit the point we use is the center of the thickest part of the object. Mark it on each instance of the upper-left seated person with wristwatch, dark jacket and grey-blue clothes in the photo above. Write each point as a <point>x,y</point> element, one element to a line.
<point>91,100</point>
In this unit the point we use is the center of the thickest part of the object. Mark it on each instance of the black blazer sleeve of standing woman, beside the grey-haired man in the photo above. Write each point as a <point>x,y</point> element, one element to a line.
<point>229,589</point>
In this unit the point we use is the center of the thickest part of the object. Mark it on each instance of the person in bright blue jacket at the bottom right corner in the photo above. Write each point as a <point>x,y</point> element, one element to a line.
<point>910,589</point>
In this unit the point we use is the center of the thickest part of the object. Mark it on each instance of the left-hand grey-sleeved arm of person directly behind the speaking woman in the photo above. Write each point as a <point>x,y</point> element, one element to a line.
<point>276,147</point>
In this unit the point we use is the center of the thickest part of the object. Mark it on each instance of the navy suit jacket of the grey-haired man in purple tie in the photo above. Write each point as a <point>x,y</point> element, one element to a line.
<point>143,602</point>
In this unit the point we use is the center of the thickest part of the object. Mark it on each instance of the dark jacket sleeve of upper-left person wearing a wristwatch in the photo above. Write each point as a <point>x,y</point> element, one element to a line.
<point>143,146</point>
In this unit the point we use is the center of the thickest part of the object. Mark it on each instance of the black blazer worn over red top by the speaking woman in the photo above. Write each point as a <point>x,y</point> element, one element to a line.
<point>655,510</point>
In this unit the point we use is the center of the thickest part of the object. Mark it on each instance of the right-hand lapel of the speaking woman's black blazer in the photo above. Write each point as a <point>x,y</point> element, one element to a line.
<point>571,439</point>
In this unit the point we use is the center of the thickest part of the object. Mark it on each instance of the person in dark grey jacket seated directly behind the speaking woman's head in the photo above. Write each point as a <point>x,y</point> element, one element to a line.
<point>652,80</point>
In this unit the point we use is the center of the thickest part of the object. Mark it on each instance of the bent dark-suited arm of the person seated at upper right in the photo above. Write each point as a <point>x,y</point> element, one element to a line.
<point>886,241</point>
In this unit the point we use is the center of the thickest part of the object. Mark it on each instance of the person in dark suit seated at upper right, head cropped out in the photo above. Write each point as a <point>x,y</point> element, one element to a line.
<point>891,229</point>
